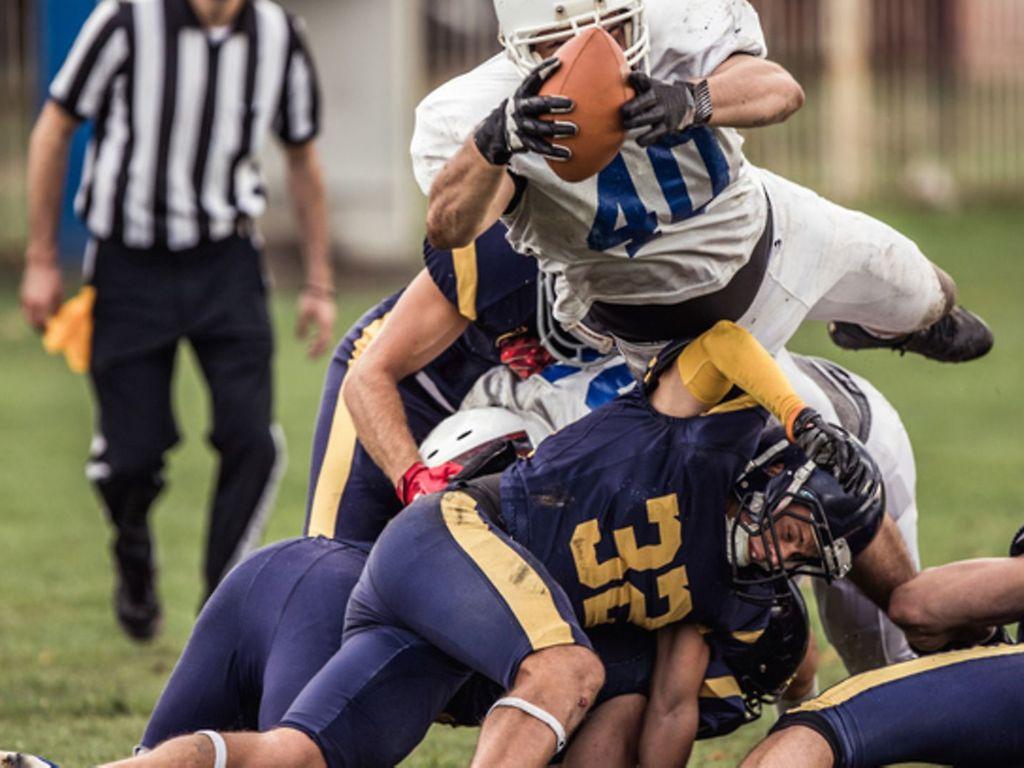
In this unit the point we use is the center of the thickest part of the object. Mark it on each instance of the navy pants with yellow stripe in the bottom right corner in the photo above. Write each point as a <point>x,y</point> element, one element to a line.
<point>963,708</point>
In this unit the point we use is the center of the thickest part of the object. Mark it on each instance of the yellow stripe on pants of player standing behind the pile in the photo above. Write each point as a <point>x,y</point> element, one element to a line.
<point>337,464</point>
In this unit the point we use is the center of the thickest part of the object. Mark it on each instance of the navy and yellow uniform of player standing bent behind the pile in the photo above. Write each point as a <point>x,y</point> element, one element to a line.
<point>493,287</point>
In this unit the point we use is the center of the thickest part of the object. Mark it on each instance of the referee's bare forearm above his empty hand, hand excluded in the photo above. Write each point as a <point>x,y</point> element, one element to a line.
<point>310,199</point>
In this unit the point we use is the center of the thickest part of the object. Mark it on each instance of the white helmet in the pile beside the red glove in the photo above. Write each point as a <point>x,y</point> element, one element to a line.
<point>467,434</point>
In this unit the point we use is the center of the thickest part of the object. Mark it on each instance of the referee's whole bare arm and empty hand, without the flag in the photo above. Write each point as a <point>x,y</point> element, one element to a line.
<point>306,180</point>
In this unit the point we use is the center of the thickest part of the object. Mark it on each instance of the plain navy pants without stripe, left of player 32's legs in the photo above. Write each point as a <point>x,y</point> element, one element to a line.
<point>267,631</point>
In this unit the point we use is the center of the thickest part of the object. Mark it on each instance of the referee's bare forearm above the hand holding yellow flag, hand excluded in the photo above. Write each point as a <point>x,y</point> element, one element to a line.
<point>48,166</point>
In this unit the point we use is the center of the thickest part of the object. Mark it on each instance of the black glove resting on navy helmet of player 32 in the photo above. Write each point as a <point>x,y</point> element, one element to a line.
<point>837,451</point>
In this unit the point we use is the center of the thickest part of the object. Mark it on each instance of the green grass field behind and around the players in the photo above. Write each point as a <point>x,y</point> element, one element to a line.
<point>74,690</point>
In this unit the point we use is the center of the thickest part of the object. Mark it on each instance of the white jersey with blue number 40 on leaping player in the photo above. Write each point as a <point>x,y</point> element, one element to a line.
<point>689,212</point>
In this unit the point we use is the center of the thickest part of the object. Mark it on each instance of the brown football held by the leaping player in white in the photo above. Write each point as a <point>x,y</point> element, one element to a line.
<point>593,75</point>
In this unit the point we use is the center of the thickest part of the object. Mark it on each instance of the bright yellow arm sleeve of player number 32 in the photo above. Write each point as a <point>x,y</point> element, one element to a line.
<point>729,356</point>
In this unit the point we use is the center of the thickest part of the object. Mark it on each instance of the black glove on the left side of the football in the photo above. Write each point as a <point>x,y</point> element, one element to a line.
<point>516,125</point>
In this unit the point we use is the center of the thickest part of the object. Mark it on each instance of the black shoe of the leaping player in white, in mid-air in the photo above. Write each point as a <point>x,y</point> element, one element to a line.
<point>959,336</point>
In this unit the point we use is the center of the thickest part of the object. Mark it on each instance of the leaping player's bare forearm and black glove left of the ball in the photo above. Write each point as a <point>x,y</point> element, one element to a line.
<point>474,189</point>
